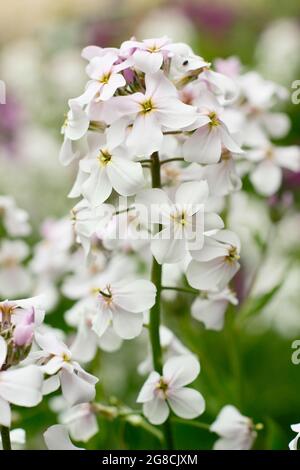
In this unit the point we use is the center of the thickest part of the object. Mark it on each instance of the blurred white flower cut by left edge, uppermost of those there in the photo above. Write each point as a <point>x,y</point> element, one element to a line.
<point>15,220</point>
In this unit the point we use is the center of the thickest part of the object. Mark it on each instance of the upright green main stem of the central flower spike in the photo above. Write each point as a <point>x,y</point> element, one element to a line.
<point>156,277</point>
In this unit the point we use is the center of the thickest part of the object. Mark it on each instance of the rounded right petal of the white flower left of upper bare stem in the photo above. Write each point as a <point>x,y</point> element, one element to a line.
<point>125,176</point>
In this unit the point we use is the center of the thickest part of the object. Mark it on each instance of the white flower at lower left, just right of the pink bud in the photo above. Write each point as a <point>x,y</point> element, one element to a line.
<point>56,360</point>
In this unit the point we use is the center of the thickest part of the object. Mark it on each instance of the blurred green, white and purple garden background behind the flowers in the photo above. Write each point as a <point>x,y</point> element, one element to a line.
<point>40,62</point>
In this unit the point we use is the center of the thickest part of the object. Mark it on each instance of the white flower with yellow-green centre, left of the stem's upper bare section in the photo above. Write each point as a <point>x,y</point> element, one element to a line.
<point>109,168</point>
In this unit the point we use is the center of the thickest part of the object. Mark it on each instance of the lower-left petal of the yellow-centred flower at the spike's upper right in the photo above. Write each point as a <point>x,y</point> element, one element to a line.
<point>204,146</point>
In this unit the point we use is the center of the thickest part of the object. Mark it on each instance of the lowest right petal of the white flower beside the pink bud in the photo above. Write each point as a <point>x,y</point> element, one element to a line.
<point>75,389</point>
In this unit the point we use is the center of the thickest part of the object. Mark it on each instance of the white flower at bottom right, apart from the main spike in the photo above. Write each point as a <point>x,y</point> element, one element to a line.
<point>235,430</point>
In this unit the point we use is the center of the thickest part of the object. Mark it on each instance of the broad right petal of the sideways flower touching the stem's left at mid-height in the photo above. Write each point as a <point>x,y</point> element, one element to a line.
<point>135,296</point>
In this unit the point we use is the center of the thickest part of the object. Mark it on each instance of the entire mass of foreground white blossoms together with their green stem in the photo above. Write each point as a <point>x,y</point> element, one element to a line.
<point>160,140</point>
